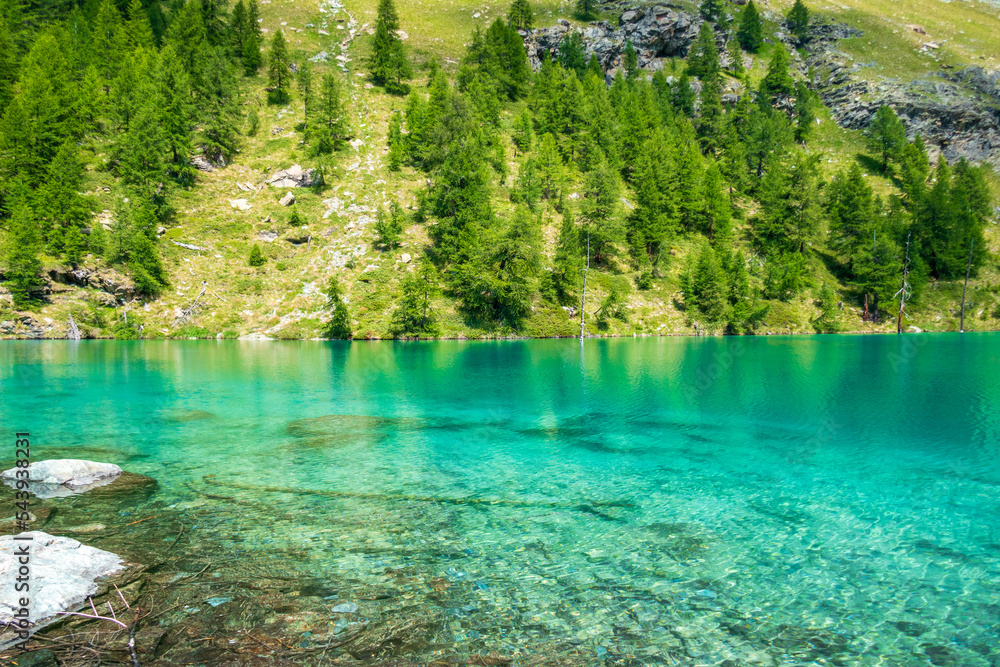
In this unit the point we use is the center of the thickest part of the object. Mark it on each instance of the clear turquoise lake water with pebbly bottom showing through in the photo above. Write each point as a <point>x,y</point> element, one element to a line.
<point>806,500</point>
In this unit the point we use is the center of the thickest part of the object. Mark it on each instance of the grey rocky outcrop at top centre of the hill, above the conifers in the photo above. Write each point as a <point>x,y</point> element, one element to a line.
<point>655,32</point>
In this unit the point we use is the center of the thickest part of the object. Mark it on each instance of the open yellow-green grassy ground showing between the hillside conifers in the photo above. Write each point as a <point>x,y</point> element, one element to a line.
<point>282,299</point>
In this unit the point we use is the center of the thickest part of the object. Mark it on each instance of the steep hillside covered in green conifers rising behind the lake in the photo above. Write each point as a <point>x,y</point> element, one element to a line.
<point>292,170</point>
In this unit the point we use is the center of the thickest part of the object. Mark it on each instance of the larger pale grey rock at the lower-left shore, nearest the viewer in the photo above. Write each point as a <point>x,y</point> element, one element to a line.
<point>63,574</point>
